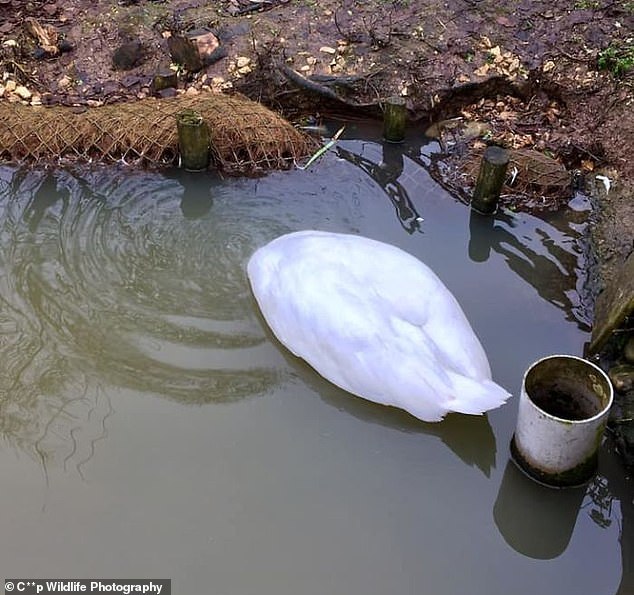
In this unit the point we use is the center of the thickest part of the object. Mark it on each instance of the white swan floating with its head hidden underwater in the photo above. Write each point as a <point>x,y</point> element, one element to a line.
<point>375,321</point>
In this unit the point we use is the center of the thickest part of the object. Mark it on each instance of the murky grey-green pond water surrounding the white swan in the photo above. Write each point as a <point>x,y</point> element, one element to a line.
<point>152,427</point>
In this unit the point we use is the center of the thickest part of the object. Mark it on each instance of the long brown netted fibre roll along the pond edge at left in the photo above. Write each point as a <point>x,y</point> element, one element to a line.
<point>245,136</point>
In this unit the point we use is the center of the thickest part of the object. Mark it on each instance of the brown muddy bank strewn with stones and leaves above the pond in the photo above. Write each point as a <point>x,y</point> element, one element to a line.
<point>525,71</point>
